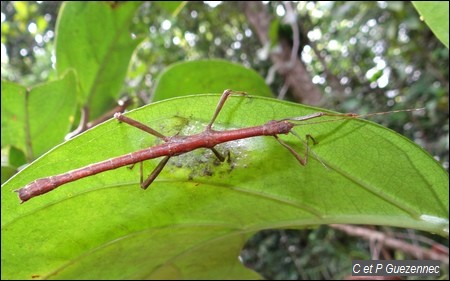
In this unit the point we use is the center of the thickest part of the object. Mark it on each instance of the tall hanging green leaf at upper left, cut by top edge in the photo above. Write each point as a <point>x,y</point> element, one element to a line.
<point>93,38</point>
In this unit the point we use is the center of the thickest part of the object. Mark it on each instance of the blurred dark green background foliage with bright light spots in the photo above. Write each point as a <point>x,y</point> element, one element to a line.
<point>365,56</point>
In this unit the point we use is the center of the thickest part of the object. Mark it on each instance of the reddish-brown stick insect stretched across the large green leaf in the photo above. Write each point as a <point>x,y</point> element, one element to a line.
<point>177,145</point>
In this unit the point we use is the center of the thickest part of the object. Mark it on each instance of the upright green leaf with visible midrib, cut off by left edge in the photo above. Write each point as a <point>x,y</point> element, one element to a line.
<point>35,120</point>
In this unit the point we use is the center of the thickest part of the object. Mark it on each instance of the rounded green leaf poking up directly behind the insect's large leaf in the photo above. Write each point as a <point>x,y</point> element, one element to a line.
<point>208,76</point>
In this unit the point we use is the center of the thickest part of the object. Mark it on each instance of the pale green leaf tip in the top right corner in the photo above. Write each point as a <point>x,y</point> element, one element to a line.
<point>435,14</point>
